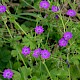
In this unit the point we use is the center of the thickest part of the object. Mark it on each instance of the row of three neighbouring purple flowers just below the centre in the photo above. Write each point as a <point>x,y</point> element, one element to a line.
<point>45,54</point>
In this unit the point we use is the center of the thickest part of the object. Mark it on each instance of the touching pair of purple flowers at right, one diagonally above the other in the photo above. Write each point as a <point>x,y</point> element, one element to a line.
<point>64,40</point>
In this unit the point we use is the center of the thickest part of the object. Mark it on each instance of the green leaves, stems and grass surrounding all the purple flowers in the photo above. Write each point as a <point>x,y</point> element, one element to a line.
<point>17,30</point>
